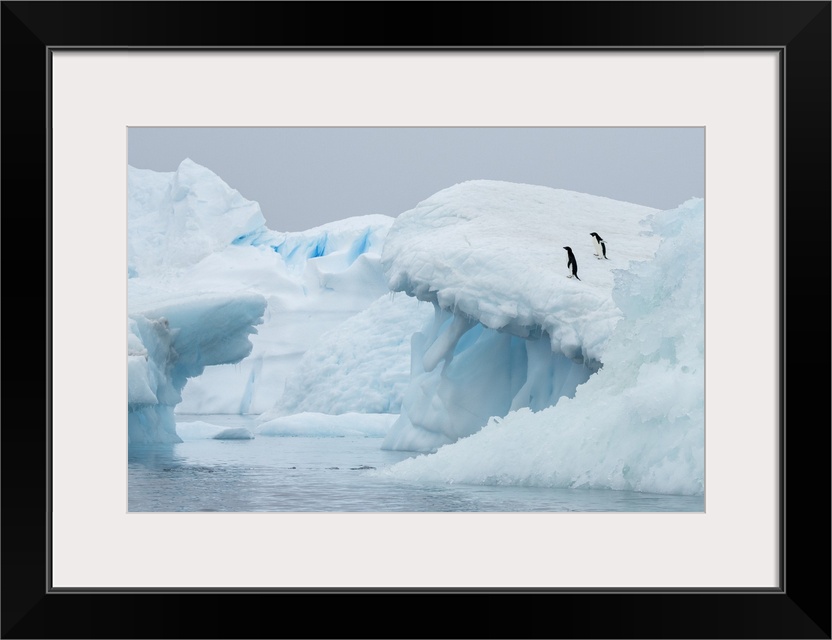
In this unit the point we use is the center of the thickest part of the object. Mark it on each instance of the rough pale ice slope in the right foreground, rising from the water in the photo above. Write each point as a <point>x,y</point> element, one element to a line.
<point>635,424</point>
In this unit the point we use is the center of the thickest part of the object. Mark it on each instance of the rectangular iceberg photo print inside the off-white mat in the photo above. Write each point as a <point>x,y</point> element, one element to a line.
<point>381,339</point>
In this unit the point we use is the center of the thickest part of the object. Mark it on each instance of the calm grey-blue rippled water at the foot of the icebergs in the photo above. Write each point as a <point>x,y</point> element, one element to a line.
<point>297,474</point>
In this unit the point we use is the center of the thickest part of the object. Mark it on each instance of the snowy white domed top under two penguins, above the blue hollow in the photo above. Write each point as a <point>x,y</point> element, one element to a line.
<point>493,251</point>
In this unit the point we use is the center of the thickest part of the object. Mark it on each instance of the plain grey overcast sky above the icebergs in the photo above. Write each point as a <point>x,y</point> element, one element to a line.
<point>304,177</point>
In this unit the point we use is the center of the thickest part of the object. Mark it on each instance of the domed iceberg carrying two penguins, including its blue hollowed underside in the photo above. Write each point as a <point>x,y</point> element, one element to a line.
<point>510,329</point>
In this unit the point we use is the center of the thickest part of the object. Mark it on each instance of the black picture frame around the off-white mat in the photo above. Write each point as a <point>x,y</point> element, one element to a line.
<point>799,608</point>
